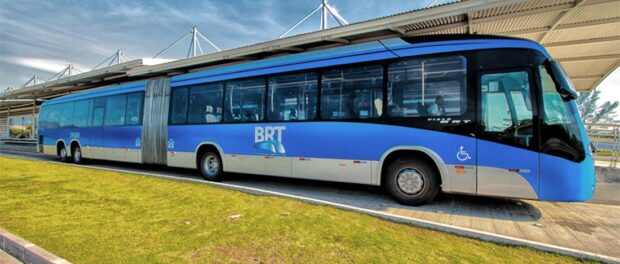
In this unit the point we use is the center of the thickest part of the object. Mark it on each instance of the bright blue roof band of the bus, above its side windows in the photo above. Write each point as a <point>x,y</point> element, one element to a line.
<point>363,52</point>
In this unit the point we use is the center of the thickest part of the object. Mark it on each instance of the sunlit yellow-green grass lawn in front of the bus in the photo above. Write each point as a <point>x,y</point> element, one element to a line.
<point>95,216</point>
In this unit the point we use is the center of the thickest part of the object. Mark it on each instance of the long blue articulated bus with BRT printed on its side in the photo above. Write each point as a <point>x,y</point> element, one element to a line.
<point>478,115</point>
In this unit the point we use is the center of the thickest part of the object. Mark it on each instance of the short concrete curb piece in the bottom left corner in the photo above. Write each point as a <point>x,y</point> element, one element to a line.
<point>25,251</point>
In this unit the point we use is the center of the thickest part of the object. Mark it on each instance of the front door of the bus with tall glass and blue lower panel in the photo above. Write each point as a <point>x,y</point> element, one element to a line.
<point>507,163</point>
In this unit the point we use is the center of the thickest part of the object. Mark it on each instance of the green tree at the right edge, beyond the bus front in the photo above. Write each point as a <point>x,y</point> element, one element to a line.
<point>591,112</point>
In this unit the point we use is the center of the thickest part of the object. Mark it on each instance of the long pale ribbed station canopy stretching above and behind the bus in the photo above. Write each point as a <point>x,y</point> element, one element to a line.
<point>584,35</point>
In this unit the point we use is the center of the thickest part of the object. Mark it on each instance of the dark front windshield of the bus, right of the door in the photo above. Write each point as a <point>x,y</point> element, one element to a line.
<point>561,134</point>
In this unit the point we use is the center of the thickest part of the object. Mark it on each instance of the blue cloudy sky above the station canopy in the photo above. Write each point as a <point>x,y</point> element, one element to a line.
<point>43,37</point>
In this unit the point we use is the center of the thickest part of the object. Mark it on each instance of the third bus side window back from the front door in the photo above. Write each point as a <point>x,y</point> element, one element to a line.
<point>292,97</point>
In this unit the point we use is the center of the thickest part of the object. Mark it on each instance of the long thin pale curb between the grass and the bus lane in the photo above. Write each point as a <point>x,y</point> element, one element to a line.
<point>461,231</point>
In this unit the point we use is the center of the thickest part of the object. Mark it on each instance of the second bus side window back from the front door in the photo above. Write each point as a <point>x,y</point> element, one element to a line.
<point>352,92</point>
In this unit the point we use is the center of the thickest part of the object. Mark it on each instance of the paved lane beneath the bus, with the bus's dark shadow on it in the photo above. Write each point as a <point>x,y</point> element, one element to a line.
<point>592,227</point>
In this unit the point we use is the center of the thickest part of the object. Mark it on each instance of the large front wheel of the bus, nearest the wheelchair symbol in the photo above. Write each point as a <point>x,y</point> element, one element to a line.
<point>411,191</point>
